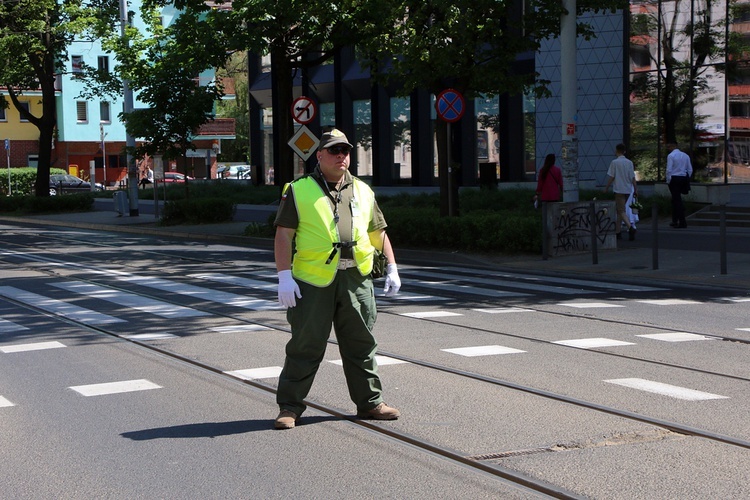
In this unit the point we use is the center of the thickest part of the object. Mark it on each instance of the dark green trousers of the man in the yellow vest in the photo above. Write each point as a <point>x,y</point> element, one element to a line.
<point>349,305</point>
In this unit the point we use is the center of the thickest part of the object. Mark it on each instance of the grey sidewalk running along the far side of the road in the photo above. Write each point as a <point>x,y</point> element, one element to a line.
<point>686,256</point>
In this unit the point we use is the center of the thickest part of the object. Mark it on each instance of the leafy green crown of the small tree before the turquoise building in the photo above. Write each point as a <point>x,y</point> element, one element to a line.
<point>163,65</point>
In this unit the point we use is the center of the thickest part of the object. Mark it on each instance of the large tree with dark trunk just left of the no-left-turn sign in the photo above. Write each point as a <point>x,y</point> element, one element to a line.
<point>296,34</point>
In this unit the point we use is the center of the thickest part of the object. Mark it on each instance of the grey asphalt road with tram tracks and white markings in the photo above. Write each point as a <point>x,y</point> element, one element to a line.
<point>144,366</point>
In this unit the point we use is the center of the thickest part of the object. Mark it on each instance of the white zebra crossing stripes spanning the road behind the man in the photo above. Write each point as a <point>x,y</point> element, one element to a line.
<point>260,290</point>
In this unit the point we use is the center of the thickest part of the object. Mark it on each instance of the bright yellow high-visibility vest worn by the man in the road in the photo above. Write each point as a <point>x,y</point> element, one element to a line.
<point>317,232</point>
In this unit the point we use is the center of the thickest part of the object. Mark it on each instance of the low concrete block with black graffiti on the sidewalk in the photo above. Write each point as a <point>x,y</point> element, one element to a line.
<point>572,227</point>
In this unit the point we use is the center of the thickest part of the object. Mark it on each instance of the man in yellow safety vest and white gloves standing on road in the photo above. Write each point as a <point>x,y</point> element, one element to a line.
<point>327,228</point>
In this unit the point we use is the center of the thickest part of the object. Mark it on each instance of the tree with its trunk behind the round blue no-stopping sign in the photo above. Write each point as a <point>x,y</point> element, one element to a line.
<point>468,45</point>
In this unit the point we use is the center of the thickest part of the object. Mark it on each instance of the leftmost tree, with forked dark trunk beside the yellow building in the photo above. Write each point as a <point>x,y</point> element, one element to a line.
<point>34,38</point>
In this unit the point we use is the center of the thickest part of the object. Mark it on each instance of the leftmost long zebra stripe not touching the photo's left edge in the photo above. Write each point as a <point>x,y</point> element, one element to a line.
<point>145,304</point>
